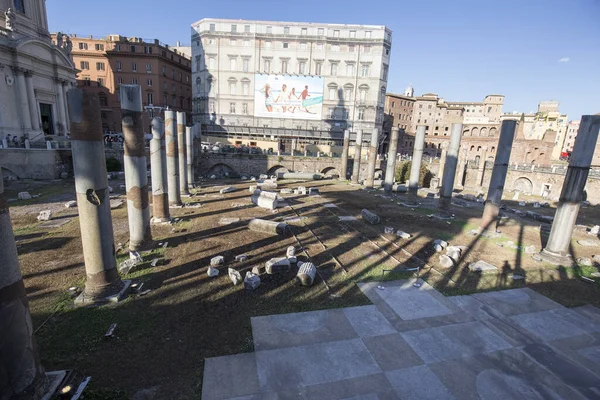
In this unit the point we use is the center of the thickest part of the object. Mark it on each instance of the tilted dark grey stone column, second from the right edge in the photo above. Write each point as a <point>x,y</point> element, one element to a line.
<point>494,198</point>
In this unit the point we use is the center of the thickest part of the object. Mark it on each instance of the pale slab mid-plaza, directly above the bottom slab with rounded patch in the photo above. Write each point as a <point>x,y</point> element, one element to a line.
<point>454,341</point>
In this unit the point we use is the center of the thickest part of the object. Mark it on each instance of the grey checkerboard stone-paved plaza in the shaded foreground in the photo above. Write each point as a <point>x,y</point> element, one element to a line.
<point>414,343</point>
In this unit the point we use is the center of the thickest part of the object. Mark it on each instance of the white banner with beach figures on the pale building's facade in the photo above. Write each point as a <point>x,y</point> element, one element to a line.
<point>284,96</point>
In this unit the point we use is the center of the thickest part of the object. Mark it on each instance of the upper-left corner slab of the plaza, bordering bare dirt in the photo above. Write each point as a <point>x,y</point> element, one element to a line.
<point>296,329</point>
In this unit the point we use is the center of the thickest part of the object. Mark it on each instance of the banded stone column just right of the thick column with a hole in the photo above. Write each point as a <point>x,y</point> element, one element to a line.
<point>134,161</point>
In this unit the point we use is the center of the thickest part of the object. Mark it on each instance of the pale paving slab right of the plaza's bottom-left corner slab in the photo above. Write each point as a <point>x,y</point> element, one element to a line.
<point>293,367</point>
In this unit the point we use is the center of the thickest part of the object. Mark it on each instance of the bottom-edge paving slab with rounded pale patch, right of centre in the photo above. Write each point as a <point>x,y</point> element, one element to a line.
<point>502,375</point>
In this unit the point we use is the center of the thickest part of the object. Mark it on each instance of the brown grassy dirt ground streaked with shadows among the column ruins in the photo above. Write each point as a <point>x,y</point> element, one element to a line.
<point>162,338</point>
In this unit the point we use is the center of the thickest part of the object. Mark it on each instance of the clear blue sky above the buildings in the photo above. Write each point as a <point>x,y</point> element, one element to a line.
<point>528,50</point>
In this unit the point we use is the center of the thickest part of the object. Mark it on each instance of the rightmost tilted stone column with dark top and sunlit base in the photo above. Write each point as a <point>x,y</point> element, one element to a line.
<point>571,195</point>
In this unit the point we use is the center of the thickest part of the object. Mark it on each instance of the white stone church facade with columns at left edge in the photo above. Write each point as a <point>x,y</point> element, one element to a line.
<point>35,74</point>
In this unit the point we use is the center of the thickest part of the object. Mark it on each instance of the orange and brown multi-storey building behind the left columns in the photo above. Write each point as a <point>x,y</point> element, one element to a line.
<point>104,63</point>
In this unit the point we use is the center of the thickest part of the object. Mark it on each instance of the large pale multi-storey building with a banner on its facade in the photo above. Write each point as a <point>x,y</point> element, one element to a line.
<point>289,79</point>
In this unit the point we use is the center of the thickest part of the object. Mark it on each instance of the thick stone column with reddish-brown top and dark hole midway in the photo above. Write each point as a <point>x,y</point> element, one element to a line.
<point>91,186</point>
